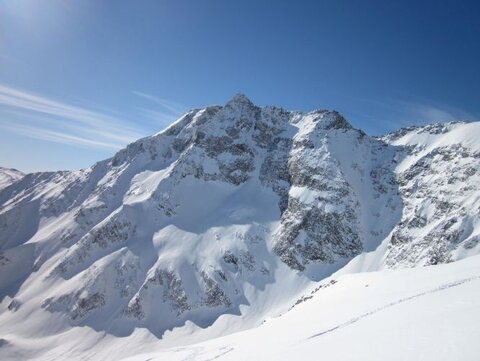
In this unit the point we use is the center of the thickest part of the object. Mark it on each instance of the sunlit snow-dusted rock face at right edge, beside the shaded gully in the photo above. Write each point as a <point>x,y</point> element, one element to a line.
<point>439,183</point>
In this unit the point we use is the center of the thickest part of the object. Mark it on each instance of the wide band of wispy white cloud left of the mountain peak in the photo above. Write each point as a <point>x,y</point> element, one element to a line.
<point>39,117</point>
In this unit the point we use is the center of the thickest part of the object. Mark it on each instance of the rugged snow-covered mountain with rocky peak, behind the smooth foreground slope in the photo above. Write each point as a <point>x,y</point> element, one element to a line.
<point>226,218</point>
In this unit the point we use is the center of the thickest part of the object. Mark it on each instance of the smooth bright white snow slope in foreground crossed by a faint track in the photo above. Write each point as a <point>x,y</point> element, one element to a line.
<point>413,314</point>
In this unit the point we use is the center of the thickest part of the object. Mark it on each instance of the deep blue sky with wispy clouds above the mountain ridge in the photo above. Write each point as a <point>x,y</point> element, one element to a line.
<point>81,79</point>
